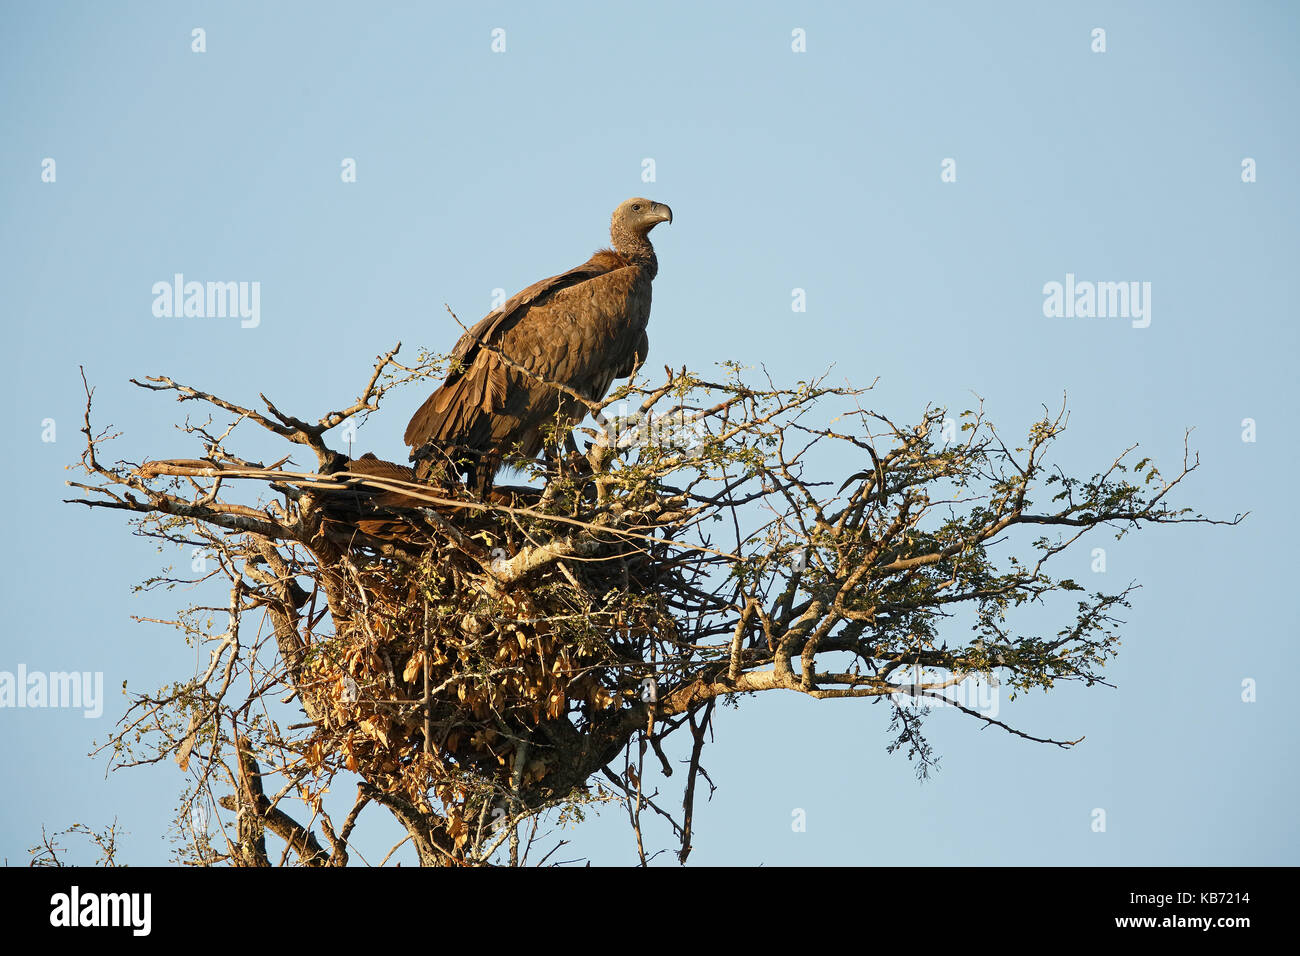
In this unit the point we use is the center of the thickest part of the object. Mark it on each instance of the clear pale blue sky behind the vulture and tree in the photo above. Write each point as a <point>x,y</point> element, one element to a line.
<point>817,171</point>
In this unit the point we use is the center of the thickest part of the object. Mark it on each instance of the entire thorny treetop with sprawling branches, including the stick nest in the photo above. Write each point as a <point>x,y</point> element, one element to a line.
<point>478,663</point>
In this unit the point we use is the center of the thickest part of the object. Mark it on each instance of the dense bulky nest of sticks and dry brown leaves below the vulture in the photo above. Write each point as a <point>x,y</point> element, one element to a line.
<point>449,676</point>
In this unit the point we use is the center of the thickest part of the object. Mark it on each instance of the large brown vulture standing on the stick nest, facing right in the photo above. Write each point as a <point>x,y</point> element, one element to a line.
<point>519,369</point>
